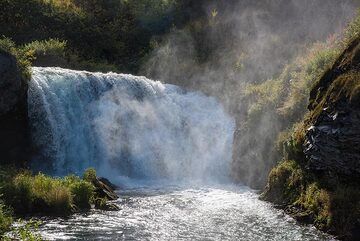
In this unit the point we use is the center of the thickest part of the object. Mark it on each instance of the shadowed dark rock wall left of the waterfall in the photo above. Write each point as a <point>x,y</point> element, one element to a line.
<point>14,141</point>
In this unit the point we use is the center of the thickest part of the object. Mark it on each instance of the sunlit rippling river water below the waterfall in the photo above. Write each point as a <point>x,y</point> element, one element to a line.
<point>178,213</point>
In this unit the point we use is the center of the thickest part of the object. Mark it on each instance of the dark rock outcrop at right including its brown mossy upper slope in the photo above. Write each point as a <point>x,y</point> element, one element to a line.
<point>332,142</point>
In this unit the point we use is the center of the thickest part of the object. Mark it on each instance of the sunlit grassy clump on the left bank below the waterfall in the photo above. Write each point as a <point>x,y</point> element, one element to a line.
<point>27,193</point>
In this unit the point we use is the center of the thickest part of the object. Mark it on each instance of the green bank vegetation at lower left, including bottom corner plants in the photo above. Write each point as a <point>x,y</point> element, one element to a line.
<point>25,193</point>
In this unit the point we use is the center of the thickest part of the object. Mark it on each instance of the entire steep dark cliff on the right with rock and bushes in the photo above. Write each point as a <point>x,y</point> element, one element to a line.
<point>318,179</point>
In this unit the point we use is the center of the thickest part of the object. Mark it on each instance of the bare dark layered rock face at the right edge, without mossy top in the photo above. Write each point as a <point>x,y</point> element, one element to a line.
<point>333,142</point>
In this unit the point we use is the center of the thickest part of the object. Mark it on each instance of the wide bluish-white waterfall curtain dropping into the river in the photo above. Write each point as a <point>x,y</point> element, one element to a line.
<point>127,126</point>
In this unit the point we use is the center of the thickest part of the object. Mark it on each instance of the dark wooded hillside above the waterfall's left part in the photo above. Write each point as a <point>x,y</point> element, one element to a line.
<point>90,34</point>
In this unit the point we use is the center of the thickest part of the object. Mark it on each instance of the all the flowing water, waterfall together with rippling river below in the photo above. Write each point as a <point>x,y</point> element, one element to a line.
<point>150,135</point>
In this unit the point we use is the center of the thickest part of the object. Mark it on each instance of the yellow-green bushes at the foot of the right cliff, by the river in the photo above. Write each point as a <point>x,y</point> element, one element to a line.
<point>330,207</point>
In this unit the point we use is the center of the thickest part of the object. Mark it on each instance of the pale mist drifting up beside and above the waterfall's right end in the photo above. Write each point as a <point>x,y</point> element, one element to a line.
<point>233,43</point>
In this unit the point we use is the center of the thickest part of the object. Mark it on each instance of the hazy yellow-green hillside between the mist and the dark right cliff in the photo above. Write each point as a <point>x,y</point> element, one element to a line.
<point>279,104</point>
